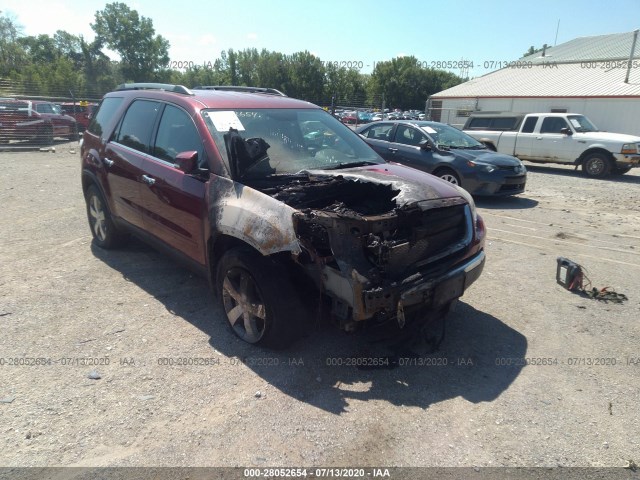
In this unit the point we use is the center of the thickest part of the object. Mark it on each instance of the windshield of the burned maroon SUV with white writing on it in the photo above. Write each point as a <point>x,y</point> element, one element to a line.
<point>296,140</point>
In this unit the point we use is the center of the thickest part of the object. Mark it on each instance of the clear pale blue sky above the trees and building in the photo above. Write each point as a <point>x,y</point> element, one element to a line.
<point>353,33</point>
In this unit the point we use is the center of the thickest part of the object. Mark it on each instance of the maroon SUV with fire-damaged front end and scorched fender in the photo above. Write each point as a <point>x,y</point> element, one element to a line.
<point>279,205</point>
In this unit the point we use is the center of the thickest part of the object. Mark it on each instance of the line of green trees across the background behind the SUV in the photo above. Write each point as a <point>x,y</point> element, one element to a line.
<point>65,65</point>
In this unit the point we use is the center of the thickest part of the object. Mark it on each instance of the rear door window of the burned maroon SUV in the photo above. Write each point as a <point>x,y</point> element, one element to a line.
<point>137,125</point>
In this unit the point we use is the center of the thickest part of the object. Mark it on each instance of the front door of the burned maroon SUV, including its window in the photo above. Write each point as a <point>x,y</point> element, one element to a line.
<point>174,204</point>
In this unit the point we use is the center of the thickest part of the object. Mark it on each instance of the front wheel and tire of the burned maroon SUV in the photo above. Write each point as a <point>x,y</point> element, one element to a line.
<point>259,301</point>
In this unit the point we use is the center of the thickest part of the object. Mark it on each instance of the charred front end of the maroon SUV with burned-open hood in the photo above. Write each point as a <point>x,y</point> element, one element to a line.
<point>382,248</point>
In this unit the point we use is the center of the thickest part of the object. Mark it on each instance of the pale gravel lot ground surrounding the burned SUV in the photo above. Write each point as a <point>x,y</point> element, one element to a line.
<point>529,374</point>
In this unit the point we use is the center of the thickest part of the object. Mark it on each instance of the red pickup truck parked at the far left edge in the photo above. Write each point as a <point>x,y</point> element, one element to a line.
<point>37,121</point>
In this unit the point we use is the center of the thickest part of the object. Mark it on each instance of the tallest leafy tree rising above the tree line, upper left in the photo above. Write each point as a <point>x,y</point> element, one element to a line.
<point>143,53</point>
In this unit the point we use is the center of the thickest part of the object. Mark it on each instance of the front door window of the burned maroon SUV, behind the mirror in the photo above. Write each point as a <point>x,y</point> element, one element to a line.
<point>176,133</point>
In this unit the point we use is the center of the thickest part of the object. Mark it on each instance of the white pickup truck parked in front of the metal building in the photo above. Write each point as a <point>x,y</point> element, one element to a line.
<point>556,138</point>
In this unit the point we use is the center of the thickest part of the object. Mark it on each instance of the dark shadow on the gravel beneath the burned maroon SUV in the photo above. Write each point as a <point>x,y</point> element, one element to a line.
<point>329,368</point>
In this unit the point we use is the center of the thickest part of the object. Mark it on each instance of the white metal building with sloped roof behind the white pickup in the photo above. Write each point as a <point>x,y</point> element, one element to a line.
<point>595,76</point>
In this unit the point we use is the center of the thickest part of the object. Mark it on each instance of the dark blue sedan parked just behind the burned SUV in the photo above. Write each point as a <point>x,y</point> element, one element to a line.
<point>448,153</point>
